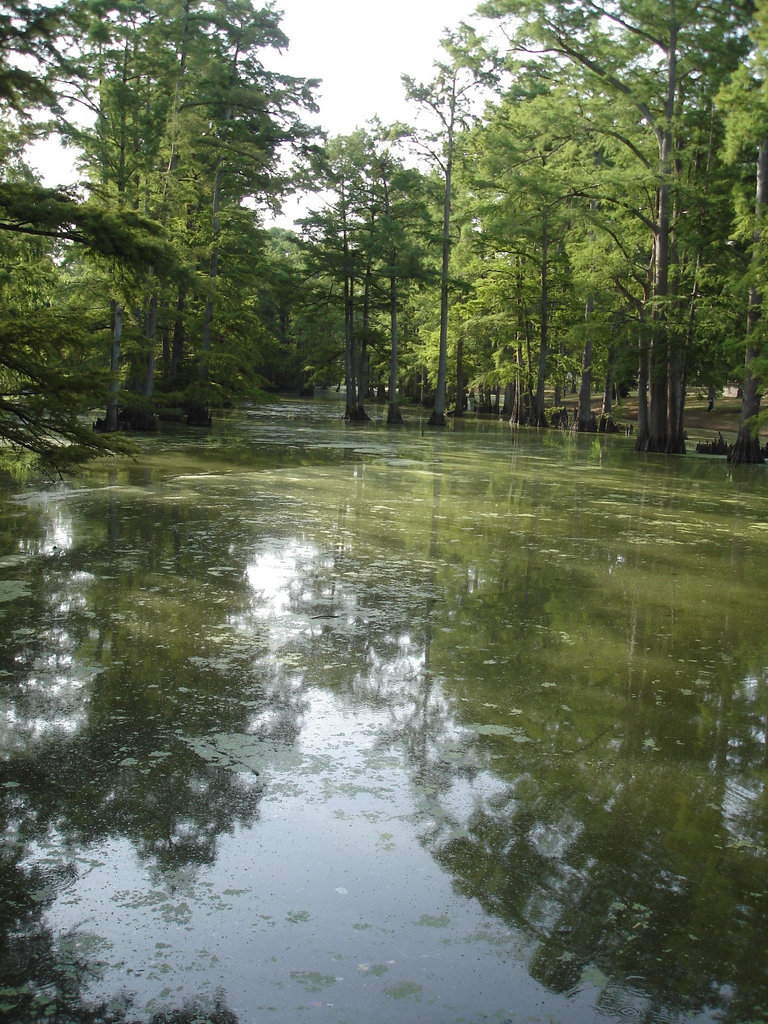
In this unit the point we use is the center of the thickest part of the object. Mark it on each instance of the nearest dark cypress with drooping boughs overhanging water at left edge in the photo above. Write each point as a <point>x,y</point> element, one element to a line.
<point>50,381</point>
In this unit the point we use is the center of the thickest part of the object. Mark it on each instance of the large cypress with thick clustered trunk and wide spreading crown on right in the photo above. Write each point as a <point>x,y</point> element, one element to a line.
<point>660,59</point>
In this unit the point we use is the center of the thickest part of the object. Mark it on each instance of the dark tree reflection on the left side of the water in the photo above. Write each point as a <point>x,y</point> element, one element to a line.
<point>98,754</point>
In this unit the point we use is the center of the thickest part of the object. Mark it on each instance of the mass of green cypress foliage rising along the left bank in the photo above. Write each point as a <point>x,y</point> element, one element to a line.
<point>187,135</point>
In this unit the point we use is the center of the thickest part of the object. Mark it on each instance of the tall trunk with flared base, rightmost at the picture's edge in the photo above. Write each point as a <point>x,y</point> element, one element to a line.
<point>747,446</point>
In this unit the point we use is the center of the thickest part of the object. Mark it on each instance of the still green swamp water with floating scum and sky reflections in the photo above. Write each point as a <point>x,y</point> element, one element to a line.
<point>304,722</point>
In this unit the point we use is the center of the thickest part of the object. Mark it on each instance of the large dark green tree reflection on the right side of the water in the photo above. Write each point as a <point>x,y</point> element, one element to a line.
<point>637,872</point>
